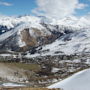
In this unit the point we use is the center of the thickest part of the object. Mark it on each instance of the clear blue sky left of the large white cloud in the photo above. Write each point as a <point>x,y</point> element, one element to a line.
<point>18,7</point>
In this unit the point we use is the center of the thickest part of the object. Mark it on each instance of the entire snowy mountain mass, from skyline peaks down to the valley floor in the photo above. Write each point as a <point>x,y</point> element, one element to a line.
<point>66,36</point>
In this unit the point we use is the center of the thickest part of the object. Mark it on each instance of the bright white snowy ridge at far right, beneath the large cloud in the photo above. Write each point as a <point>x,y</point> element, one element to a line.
<point>74,22</point>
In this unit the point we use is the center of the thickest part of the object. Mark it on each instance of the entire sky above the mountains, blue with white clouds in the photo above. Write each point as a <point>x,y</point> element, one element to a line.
<point>50,8</point>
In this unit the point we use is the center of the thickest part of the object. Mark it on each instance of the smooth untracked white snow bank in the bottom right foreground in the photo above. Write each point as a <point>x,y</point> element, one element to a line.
<point>79,81</point>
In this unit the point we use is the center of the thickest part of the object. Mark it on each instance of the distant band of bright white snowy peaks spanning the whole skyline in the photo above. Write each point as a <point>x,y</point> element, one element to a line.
<point>72,21</point>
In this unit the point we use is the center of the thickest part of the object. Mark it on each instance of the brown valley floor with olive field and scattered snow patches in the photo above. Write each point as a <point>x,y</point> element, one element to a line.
<point>42,71</point>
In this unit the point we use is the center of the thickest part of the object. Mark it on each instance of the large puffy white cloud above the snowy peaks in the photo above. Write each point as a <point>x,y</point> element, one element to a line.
<point>57,8</point>
